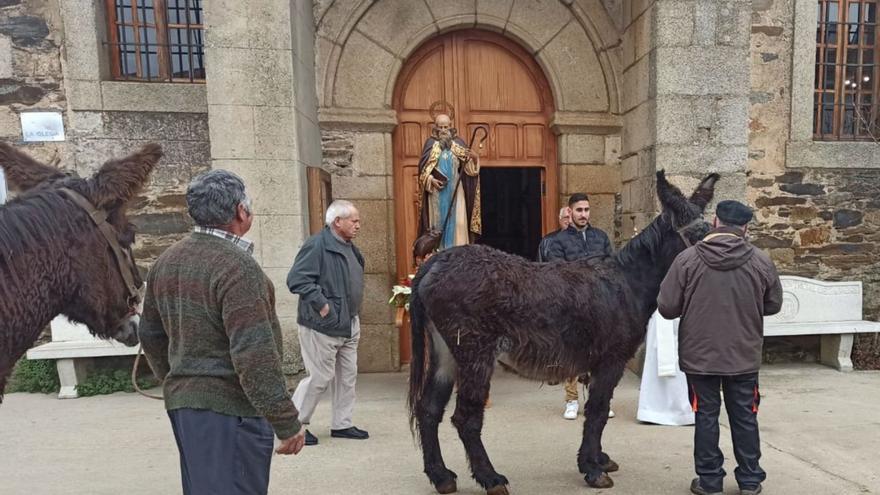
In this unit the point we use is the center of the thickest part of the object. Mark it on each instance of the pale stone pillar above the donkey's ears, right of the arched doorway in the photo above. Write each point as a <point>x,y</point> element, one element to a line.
<point>701,74</point>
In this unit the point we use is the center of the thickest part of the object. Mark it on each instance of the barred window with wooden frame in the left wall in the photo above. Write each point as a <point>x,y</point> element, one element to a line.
<point>156,40</point>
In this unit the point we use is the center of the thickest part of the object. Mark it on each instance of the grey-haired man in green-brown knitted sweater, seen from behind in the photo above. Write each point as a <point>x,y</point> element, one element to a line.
<point>210,332</point>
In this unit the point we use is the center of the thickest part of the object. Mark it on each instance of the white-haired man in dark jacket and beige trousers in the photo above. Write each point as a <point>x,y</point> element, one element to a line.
<point>328,275</point>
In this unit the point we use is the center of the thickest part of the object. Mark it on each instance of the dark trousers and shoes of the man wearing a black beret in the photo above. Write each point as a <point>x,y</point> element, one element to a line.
<point>741,399</point>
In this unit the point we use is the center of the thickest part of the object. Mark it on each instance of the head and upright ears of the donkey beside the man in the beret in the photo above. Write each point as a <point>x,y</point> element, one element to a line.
<point>681,222</point>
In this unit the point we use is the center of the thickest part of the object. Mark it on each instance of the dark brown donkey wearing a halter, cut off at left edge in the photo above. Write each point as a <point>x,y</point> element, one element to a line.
<point>55,257</point>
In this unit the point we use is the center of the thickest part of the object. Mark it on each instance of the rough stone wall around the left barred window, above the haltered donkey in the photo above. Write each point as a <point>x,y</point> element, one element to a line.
<point>34,76</point>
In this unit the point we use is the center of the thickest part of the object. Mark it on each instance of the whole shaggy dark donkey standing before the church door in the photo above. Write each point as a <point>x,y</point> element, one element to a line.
<point>561,319</point>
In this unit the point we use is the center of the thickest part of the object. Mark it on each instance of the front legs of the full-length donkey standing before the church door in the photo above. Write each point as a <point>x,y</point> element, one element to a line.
<point>594,463</point>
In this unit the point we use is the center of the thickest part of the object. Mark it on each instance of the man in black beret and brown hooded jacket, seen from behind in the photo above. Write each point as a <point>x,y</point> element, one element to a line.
<point>722,288</point>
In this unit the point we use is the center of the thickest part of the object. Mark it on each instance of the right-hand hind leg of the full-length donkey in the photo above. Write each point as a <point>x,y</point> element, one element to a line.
<point>473,389</point>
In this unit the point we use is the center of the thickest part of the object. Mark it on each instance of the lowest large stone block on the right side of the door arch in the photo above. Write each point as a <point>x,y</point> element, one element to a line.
<point>580,78</point>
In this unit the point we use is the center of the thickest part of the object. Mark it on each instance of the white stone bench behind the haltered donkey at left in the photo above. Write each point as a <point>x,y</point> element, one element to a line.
<point>71,347</point>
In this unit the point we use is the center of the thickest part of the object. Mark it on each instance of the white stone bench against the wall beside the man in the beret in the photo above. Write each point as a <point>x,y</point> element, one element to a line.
<point>830,309</point>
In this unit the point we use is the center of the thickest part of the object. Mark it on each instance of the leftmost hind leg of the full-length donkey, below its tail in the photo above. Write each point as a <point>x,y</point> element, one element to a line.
<point>429,415</point>
